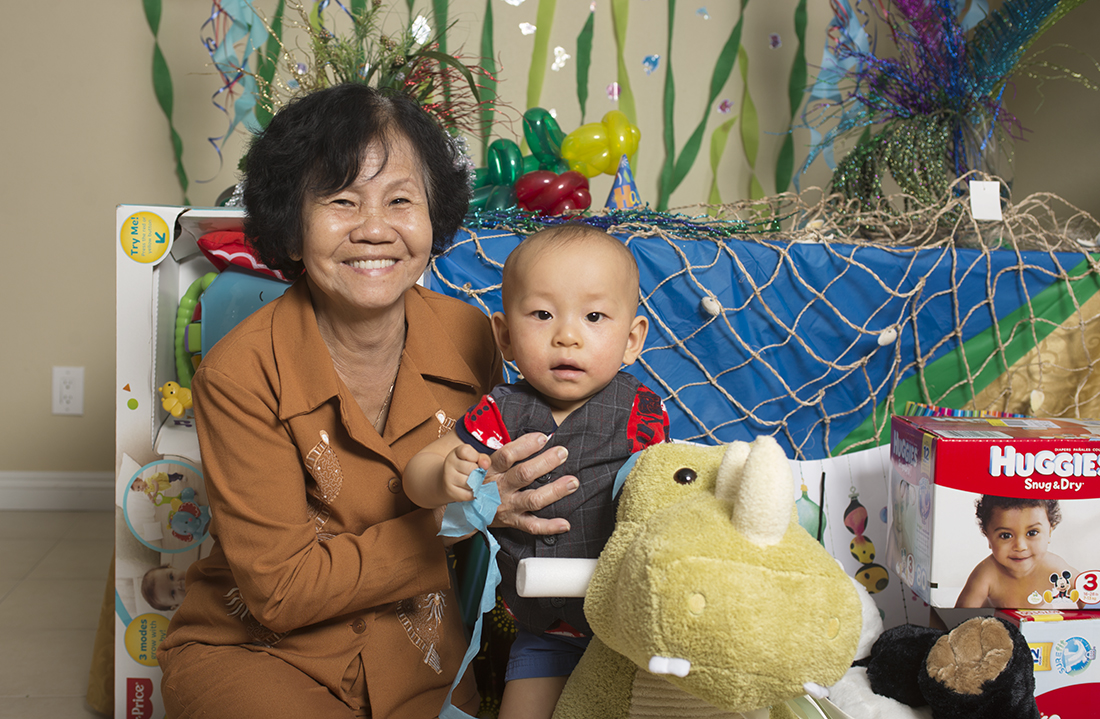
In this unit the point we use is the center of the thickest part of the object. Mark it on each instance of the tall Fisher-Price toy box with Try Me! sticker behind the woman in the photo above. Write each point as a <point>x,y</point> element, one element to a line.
<point>162,517</point>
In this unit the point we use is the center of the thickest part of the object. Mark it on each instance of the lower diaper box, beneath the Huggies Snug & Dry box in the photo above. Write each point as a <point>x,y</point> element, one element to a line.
<point>1064,652</point>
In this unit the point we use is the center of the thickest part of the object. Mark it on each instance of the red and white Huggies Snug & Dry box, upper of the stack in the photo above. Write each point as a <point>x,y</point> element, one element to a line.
<point>941,467</point>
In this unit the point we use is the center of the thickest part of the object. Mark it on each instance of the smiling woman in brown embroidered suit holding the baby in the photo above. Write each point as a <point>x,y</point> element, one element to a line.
<point>327,591</point>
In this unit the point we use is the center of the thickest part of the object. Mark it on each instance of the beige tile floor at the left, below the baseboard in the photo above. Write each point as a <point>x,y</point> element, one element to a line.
<point>53,571</point>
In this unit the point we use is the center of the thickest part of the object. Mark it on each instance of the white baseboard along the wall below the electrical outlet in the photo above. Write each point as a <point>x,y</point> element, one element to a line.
<point>58,491</point>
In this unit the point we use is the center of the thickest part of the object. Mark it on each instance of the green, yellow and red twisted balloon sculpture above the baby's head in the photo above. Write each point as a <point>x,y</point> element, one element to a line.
<point>554,179</point>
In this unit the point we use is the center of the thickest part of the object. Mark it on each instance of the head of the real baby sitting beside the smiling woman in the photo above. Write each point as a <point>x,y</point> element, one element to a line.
<point>570,318</point>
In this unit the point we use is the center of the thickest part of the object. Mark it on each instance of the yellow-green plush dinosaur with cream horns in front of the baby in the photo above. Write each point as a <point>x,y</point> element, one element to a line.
<point>710,600</point>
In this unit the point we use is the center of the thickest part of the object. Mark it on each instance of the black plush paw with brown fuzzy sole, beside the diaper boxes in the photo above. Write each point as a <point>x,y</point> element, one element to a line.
<point>981,670</point>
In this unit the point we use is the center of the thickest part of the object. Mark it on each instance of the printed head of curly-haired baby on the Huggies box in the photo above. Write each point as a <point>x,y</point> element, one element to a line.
<point>1019,530</point>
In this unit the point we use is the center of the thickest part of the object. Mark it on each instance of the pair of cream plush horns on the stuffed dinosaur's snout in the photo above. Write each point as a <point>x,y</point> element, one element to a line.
<point>761,490</point>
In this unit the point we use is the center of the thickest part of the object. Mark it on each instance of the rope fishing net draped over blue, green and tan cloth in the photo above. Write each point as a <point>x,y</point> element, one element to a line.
<point>815,334</point>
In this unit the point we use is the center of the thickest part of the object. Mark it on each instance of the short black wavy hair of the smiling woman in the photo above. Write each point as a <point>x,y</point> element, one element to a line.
<point>314,147</point>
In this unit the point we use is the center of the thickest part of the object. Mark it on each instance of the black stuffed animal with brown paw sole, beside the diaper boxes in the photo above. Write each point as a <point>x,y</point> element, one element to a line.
<point>981,670</point>
